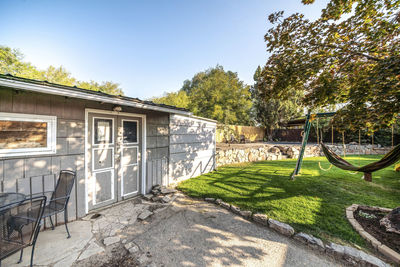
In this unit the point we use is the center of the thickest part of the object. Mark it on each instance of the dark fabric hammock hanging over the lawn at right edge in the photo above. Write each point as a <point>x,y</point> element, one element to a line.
<point>390,158</point>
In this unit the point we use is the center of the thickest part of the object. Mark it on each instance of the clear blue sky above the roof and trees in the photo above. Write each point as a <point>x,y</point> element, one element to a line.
<point>148,47</point>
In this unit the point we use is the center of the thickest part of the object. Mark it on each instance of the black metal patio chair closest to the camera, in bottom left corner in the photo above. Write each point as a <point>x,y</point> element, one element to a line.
<point>20,226</point>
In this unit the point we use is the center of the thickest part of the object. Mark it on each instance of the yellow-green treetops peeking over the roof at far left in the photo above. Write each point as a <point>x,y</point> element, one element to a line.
<point>11,62</point>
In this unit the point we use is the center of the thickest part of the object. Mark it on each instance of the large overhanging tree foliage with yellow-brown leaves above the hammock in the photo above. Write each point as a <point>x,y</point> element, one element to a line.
<point>350,55</point>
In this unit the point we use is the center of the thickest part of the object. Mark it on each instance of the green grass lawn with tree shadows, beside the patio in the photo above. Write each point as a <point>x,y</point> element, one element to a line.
<point>314,203</point>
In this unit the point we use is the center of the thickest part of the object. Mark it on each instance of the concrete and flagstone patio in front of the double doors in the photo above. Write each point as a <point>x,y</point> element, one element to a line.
<point>183,232</point>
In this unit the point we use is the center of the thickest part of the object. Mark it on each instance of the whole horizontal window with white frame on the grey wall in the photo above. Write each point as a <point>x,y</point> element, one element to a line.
<point>27,134</point>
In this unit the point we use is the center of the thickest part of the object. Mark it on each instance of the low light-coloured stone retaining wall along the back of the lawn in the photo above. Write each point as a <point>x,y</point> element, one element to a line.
<point>230,155</point>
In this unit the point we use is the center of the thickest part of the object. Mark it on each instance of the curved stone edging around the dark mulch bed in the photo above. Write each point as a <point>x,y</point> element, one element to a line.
<point>385,250</point>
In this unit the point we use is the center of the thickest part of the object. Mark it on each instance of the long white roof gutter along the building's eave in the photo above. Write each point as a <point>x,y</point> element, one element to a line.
<point>69,93</point>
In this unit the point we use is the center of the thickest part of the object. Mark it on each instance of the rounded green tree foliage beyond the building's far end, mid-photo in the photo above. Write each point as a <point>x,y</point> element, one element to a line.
<point>215,94</point>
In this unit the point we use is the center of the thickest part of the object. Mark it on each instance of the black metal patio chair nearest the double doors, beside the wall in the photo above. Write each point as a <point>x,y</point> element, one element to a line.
<point>60,197</point>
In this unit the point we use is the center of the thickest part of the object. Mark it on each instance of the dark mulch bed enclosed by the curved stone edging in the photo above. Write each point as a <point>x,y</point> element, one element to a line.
<point>372,226</point>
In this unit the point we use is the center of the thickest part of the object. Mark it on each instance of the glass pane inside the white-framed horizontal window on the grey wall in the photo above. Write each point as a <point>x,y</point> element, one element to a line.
<point>22,134</point>
